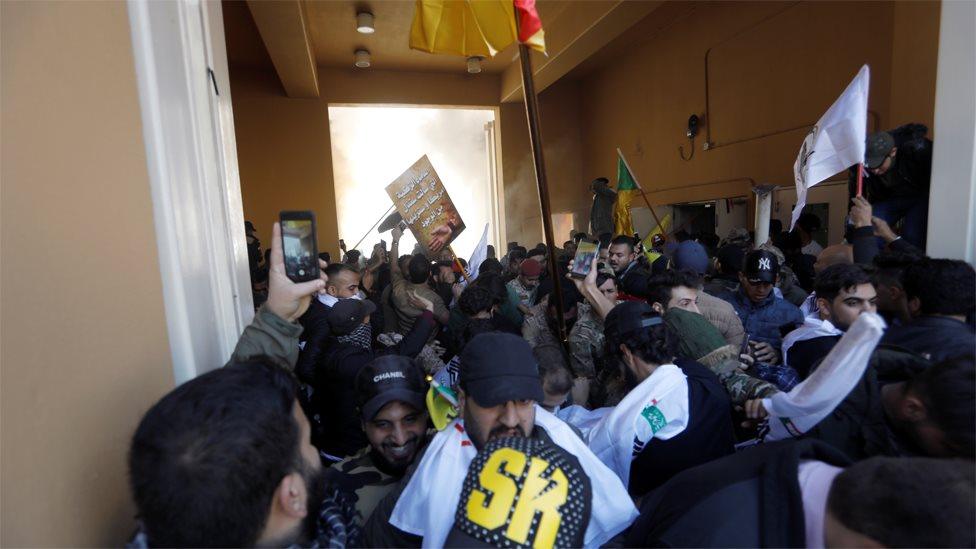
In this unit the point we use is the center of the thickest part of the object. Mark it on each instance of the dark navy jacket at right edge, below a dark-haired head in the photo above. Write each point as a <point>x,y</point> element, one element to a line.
<point>934,337</point>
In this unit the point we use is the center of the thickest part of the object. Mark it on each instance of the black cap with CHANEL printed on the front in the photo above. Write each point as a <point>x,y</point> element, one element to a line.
<point>389,378</point>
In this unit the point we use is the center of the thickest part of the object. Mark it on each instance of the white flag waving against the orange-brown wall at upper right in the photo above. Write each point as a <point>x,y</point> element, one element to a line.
<point>836,142</point>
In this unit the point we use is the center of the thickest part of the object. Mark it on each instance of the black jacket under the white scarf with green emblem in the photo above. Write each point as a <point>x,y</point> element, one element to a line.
<point>709,434</point>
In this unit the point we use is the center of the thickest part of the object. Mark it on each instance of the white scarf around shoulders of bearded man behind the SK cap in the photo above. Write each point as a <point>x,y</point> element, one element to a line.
<point>428,503</point>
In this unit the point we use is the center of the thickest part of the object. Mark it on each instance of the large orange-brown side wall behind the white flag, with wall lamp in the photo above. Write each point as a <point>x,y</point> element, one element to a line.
<point>772,67</point>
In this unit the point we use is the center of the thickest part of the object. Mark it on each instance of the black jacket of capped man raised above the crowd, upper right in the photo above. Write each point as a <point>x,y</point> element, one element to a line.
<point>910,174</point>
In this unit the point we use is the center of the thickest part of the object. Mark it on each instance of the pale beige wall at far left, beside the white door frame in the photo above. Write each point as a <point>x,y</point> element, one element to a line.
<point>84,345</point>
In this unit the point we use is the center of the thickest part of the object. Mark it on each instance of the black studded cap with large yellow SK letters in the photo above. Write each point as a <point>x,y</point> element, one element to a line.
<point>568,496</point>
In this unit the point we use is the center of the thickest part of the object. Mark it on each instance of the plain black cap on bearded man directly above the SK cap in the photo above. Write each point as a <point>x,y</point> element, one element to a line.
<point>498,367</point>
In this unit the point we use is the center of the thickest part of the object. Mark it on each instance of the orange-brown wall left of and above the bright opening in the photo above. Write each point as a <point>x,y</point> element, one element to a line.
<point>283,144</point>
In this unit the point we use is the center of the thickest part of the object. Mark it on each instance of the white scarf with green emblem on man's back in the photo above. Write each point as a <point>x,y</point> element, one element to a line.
<point>656,408</point>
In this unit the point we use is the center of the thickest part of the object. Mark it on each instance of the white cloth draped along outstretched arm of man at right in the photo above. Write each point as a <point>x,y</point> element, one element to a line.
<point>794,413</point>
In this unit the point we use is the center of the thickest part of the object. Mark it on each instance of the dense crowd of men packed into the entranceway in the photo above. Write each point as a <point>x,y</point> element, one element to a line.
<point>695,390</point>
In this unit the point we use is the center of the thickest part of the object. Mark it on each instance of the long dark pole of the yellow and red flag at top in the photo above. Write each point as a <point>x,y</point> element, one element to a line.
<point>535,139</point>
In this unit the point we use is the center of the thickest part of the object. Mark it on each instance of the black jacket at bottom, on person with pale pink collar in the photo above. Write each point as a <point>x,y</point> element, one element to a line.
<point>749,499</point>
